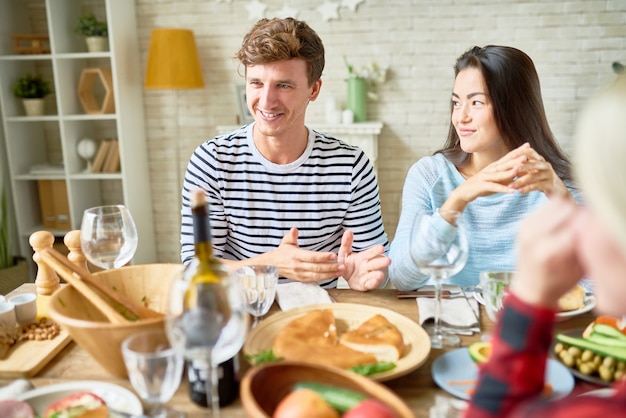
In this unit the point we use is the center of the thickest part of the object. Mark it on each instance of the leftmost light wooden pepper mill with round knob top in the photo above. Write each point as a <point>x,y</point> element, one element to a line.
<point>47,280</point>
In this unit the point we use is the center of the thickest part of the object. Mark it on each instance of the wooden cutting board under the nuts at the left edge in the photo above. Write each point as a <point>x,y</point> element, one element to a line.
<point>27,358</point>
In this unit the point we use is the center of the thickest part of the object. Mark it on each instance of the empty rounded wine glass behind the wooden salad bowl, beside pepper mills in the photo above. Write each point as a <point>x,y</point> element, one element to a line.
<point>108,236</point>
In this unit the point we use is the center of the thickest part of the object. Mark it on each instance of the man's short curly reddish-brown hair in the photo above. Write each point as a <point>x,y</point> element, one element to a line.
<point>276,39</point>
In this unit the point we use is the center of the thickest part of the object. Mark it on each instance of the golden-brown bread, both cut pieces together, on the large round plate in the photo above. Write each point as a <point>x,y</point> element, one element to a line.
<point>313,338</point>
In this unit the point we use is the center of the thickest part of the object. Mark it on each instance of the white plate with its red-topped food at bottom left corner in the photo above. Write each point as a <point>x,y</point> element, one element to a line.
<point>68,394</point>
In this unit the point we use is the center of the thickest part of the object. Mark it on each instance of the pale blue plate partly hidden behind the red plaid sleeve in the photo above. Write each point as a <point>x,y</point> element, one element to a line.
<point>456,373</point>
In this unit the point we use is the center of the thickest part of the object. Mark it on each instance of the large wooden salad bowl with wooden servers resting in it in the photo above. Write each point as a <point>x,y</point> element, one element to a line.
<point>147,284</point>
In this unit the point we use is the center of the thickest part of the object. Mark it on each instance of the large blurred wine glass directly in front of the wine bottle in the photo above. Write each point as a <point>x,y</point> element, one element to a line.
<point>207,322</point>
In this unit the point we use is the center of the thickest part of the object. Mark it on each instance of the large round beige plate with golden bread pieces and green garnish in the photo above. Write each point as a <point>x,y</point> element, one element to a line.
<point>344,335</point>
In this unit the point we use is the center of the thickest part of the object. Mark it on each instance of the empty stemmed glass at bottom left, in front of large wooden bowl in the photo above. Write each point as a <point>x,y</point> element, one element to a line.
<point>154,369</point>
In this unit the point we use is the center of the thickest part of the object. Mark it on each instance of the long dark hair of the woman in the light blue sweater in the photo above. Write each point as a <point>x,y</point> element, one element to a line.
<point>513,87</point>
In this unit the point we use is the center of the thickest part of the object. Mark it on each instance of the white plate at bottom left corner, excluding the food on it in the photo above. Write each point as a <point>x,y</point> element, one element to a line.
<point>116,397</point>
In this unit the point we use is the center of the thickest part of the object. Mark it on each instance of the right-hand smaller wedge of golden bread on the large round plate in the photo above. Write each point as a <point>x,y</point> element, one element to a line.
<point>376,336</point>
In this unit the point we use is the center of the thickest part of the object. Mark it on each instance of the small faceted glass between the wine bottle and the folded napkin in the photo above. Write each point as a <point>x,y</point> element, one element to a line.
<point>258,284</point>
